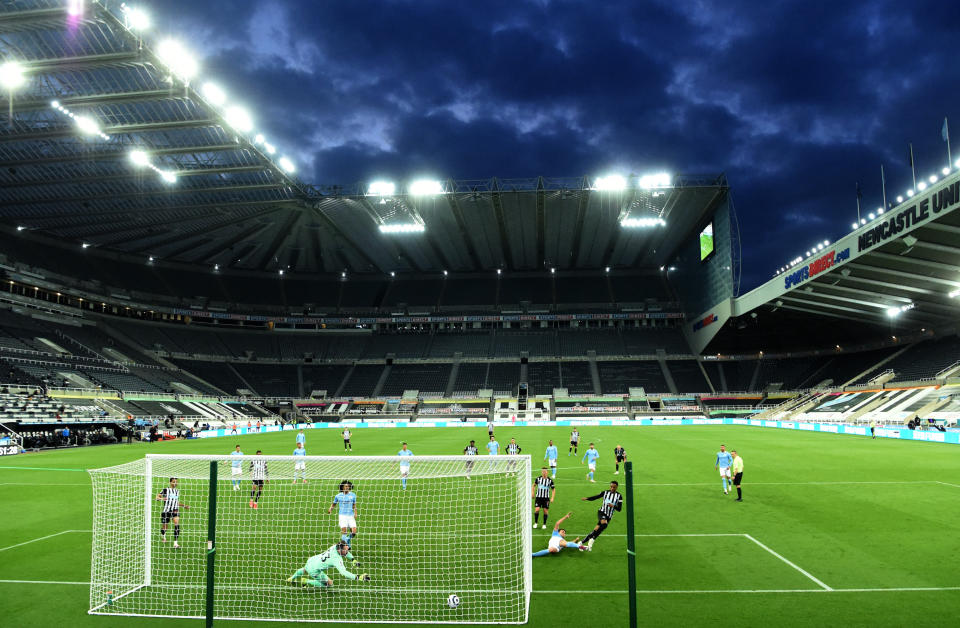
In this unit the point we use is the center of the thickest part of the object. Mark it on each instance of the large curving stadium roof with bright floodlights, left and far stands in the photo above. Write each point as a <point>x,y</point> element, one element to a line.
<point>112,144</point>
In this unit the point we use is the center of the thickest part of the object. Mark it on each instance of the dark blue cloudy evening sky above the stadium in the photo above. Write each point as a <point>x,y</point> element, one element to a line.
<point>794,101</point>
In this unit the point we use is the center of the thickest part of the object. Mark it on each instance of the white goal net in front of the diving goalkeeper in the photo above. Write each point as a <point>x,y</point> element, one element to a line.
<point>460,526</point>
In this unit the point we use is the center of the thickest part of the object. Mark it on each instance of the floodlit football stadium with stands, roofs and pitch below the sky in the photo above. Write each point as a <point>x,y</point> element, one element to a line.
<point>541,401</point>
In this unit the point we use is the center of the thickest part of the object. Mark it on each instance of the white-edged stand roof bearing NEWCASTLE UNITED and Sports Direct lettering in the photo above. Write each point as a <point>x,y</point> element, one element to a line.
<point>899,272</point>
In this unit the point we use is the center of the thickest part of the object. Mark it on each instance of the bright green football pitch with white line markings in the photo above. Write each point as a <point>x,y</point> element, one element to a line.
<point>833,530</point>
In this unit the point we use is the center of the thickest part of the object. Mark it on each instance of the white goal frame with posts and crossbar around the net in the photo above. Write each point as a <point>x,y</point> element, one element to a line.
<point>523,468</point>
